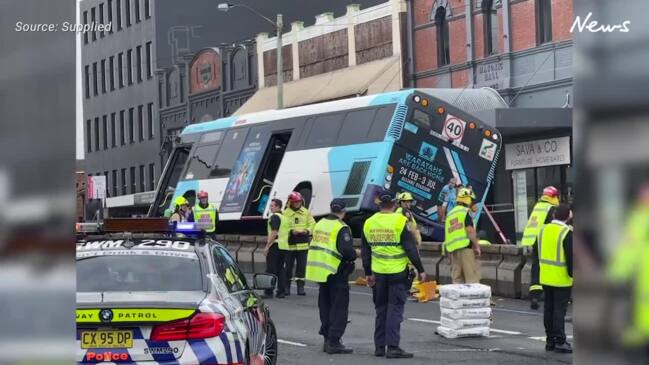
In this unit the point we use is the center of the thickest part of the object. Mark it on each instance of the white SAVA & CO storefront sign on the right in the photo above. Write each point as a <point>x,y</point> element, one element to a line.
<point>545,152</point>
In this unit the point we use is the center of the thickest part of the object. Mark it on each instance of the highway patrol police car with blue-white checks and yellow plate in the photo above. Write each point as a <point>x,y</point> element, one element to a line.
<point>163,299</point>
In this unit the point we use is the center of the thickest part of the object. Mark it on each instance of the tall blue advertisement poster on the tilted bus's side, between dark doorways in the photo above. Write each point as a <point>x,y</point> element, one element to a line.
<point>243,173</point>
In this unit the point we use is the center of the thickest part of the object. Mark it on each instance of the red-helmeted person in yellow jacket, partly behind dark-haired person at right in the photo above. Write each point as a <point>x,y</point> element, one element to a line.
<point>541,215</point>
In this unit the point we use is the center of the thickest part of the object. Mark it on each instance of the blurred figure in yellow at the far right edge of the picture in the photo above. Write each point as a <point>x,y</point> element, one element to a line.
<point>629,265</point>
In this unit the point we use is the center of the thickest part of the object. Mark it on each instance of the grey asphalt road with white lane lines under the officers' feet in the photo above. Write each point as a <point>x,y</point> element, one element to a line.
<point>517,335</point>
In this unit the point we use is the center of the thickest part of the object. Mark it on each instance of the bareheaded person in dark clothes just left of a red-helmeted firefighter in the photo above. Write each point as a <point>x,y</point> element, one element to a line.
<point>274,250</point>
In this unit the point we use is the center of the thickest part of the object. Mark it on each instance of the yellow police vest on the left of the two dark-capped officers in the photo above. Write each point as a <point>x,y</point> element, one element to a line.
<point>323,258</point>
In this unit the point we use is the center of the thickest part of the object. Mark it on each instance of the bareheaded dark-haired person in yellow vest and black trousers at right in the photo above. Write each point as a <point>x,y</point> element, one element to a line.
<point>554,250</point>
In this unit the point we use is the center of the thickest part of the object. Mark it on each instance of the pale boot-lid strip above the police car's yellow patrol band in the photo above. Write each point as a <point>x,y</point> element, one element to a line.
<point>134,299</point>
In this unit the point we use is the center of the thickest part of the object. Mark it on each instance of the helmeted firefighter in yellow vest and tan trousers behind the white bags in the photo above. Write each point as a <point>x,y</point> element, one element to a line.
<point>461,242</point>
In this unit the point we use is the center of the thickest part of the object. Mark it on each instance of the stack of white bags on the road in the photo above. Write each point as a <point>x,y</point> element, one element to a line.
<point>466,310</point>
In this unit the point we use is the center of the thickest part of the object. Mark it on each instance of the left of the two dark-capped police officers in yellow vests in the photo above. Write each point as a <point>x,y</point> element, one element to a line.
<point>330,261</point>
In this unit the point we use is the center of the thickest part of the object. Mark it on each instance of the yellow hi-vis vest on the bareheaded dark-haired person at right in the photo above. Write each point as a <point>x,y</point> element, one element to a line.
<point>552,261</point>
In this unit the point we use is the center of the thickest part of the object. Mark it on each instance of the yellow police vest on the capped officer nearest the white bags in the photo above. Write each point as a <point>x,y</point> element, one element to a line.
<point>383,233</point>
